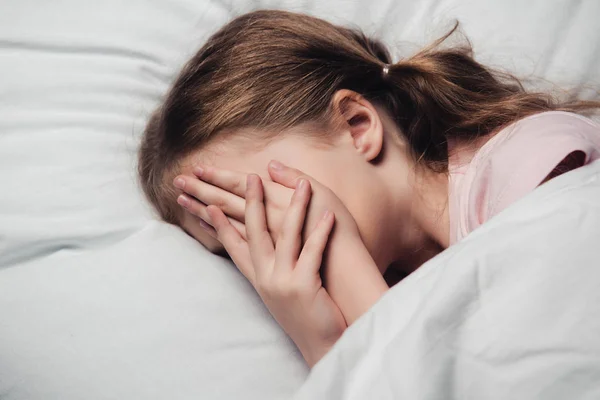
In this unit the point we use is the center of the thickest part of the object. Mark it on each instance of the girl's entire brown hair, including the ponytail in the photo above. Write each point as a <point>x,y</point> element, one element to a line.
<point>273,70</point>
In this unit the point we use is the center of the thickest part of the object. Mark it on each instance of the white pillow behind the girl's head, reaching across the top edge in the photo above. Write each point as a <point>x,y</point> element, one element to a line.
<point>79,79</point>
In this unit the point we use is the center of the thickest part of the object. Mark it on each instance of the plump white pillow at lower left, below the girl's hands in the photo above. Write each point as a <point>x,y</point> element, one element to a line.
<point>153,317</point>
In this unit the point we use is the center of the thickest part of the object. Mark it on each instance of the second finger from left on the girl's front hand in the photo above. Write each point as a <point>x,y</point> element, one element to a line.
<point>259,239</point>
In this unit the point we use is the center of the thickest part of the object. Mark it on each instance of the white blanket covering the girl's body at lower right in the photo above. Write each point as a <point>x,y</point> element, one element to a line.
<point>512,312</point>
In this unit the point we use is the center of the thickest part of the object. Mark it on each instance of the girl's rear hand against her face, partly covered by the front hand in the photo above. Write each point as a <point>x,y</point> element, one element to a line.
<point>351,276</point>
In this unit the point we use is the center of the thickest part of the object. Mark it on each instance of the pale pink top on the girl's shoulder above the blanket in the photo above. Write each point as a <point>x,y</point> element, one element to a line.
<point>483,181</point>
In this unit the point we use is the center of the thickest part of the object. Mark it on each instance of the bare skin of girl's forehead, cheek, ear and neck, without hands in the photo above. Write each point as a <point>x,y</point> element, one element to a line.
<point>400,207</point>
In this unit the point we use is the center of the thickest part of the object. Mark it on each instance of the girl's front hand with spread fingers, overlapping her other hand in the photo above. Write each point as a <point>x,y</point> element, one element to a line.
<point>286,275</point>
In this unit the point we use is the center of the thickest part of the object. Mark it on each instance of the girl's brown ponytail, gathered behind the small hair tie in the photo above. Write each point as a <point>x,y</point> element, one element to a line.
<point>443,94</point>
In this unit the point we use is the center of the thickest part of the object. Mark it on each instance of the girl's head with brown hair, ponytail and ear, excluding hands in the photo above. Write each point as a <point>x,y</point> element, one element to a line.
<point>327,100</point>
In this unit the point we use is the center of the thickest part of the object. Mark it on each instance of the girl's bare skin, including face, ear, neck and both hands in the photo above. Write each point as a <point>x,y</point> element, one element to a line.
<point>387,210</point>
